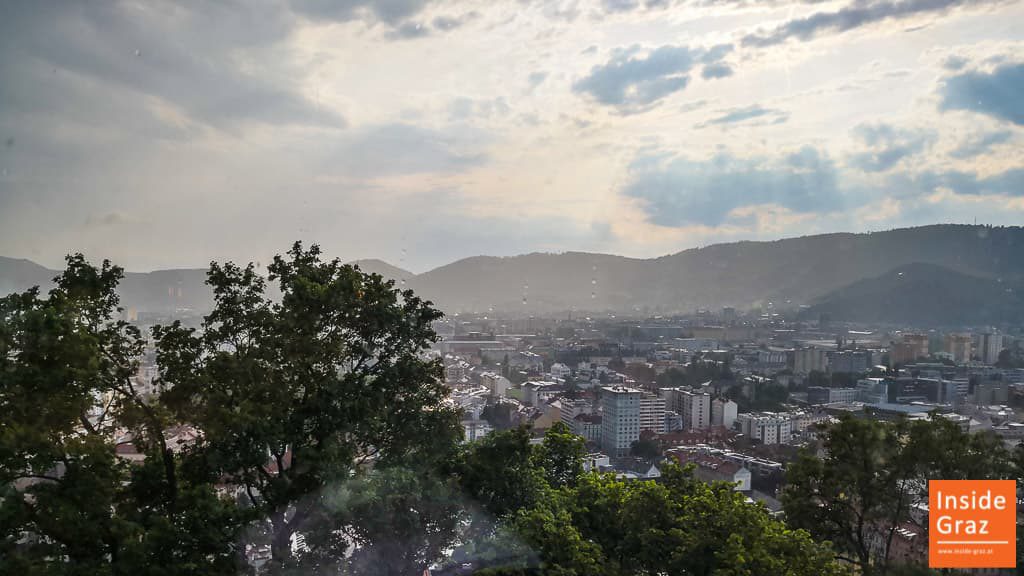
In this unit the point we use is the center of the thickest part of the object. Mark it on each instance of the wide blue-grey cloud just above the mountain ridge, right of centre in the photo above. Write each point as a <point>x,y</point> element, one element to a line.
<point>679,192</point>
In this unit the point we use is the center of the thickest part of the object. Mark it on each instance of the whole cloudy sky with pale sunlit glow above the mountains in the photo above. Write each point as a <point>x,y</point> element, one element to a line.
<point>169,135</point>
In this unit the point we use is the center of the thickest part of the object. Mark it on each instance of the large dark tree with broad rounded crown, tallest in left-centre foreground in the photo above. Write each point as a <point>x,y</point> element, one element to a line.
<point>300,395</point>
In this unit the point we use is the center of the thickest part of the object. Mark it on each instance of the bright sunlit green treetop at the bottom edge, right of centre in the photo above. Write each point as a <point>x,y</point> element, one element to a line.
<point>685,526</point>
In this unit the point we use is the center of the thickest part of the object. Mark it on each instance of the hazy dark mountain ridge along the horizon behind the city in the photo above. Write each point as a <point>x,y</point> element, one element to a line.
<point>790,272</point>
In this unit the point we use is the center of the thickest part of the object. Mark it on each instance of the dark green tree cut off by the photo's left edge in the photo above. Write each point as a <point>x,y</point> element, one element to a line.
<point>69,505</point>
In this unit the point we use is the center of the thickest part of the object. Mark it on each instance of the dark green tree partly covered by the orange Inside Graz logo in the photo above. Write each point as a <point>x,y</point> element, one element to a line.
<point>873,476</point>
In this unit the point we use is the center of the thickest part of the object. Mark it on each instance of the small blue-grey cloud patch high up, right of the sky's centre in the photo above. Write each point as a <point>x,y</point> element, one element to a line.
<point>635,84</point>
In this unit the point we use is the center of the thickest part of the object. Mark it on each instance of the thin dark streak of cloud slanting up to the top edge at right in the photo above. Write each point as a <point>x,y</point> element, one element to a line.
<point>856,15</point>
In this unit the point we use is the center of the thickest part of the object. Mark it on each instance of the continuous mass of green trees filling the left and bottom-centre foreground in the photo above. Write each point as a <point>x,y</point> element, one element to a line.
<point>313,427</point>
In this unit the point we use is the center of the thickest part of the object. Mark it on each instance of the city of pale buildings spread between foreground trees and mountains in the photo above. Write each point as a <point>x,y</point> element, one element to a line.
<point>735,396</point>
